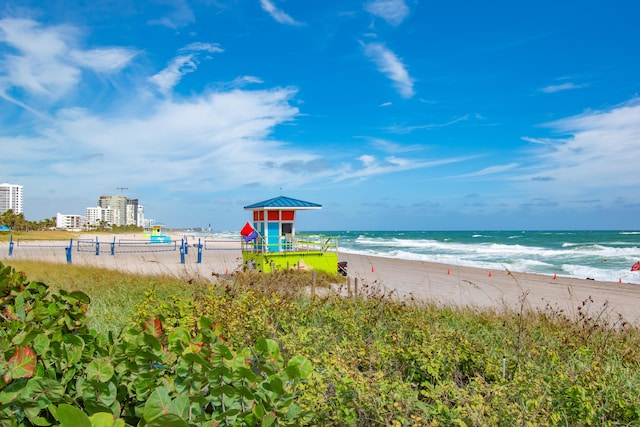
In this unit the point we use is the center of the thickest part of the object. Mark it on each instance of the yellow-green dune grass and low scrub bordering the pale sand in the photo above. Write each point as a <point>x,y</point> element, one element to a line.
<point>381,361</point>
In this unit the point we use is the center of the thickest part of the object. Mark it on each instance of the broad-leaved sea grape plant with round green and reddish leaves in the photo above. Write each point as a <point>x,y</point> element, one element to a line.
<point>55,371</point>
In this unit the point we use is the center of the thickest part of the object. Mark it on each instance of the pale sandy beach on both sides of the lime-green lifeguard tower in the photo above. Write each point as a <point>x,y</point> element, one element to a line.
<point>440,283</point>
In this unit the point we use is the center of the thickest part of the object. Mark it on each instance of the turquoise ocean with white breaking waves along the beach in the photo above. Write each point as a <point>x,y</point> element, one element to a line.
<point>599,255</point>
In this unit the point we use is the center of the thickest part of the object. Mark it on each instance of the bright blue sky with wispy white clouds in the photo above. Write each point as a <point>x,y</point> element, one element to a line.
<point>392,114</point>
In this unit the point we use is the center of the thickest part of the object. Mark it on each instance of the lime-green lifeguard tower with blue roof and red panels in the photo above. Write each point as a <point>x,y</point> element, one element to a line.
<point>274,245</point>
